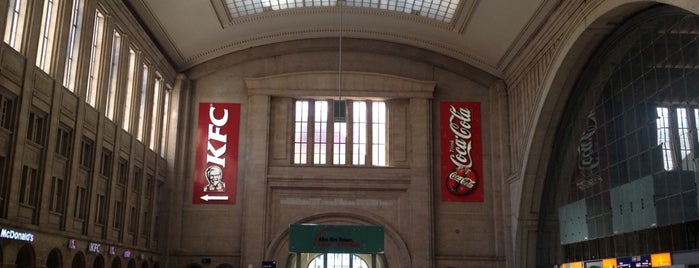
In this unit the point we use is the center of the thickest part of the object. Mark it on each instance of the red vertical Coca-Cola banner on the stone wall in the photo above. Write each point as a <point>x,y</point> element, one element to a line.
<point>461,151</point>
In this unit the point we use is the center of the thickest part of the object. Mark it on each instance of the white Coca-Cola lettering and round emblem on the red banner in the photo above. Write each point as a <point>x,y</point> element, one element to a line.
<point>463,179</point>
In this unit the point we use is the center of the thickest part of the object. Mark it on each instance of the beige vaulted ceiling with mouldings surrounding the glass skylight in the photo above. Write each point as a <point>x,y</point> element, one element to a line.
<point>483,33</point>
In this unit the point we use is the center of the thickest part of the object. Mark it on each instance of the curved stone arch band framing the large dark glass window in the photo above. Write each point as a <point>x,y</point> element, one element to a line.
<point>569,57</point>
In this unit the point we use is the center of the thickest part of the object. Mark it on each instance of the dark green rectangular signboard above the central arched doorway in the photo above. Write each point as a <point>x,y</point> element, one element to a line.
<point>311,238</point>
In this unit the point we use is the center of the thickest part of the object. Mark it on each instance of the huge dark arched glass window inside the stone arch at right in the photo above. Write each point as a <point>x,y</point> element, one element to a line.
<point>622,178</point>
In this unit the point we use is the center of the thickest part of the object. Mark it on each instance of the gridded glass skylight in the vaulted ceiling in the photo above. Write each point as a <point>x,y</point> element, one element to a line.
<point>441,10</point>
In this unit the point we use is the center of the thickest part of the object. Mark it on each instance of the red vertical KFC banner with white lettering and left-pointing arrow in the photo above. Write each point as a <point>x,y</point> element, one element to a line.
<point>216,167</point>
